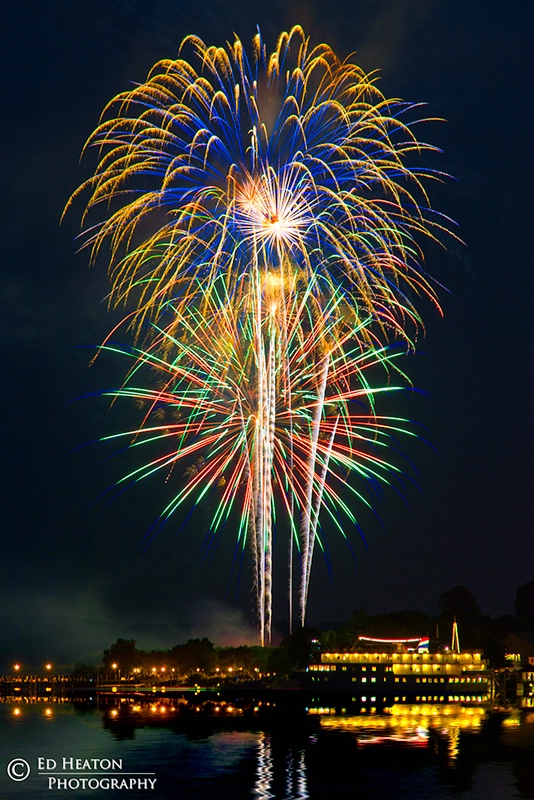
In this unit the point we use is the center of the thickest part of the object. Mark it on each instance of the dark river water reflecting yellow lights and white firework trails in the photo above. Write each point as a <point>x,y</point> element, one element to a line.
<point>57,749</point>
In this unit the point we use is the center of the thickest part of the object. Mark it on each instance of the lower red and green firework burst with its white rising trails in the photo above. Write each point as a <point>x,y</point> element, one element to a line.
<point>244,402</point>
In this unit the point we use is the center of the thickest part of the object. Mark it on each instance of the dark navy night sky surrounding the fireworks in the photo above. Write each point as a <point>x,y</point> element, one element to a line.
<point>77,569</point>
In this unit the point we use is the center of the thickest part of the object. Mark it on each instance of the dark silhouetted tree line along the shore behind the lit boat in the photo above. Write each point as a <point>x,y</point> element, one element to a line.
<point>199,659</point>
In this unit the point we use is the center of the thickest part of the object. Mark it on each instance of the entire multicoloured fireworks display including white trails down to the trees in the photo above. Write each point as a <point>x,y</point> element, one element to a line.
<point>265,225</point>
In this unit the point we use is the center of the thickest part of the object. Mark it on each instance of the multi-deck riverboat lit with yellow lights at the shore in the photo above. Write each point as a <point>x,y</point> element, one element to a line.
<point>403,670</point>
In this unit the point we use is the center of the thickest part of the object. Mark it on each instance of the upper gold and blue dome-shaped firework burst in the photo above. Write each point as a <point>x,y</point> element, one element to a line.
<point>224,164</point>
